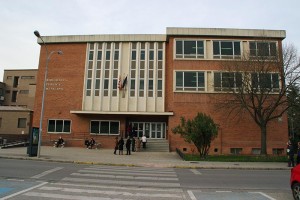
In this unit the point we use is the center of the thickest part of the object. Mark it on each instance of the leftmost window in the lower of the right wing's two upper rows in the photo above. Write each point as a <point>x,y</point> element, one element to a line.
<point>190,81</point>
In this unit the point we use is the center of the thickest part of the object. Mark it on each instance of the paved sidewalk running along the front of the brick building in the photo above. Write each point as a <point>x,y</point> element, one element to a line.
<point>143,159</point>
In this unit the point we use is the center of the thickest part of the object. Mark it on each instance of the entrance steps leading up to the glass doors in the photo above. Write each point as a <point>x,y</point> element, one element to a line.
<point>156,145</point>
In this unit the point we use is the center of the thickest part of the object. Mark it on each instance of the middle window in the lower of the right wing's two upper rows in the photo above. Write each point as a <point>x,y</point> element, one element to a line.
<point>227,81</point>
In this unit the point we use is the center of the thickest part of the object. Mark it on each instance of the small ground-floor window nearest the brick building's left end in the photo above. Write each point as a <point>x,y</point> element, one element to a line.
<point>59,126</point>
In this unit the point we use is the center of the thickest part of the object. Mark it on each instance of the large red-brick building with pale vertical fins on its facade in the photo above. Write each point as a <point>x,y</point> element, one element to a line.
<point>103,84</point>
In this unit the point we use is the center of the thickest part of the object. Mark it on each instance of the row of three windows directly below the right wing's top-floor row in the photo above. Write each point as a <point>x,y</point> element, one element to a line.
<point>225,81</point>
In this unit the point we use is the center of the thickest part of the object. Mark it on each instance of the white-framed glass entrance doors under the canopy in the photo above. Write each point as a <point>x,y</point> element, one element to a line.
<point>154,130</point>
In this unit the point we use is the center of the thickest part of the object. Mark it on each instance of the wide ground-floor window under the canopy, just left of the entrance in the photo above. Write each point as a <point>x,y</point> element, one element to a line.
<point>105,127</point>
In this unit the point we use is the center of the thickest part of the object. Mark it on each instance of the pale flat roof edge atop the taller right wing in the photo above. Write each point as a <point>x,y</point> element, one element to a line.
<point>227,32</point>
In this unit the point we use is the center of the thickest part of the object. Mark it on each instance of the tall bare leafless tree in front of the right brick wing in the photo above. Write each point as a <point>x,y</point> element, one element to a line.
<point>258,84</point>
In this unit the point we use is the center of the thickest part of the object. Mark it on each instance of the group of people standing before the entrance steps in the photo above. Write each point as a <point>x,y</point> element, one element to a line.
<point>132,144</point>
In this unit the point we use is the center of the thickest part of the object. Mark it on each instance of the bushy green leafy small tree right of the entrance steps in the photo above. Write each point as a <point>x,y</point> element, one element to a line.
<point>201,131</point>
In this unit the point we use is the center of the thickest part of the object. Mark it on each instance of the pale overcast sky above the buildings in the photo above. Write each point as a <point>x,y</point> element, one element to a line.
<point>19,19</point>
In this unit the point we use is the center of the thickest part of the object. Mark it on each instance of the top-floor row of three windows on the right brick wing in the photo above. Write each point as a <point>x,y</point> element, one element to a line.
<point>223,49</point>
